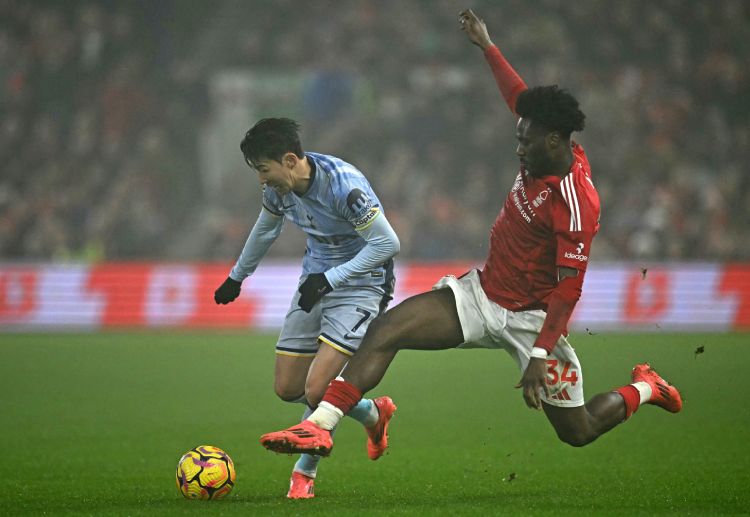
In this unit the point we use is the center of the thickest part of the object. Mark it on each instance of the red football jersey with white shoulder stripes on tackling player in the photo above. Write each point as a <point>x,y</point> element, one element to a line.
<point>545,223</point>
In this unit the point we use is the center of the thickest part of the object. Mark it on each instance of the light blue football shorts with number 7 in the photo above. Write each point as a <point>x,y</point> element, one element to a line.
<point>340,319</point>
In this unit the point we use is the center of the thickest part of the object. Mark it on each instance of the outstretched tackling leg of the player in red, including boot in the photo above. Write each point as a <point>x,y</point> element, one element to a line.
<point>428,321</point>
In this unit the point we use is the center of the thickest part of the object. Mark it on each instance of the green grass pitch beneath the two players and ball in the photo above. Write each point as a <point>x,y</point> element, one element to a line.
<point>94,424</point>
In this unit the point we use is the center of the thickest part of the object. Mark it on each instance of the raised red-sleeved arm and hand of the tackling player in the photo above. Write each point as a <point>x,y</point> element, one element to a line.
<point>510,83</point>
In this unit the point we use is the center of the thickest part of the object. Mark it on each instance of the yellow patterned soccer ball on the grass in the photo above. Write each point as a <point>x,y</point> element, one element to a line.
<point>205,472</point>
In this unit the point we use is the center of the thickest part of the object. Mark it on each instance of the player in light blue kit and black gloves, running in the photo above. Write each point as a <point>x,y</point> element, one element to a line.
<point>347,273</point>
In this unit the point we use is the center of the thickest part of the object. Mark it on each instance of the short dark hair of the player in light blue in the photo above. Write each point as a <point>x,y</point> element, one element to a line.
<point>270,139</point>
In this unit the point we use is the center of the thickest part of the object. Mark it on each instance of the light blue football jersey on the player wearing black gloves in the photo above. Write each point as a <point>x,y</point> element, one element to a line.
<point>339,200</point>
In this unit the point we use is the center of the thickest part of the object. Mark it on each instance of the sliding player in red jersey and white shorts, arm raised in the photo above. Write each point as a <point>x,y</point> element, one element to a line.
<point>523,298</point>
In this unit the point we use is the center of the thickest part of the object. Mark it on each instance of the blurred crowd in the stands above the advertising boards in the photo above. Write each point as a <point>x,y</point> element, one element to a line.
<point>102,106</point>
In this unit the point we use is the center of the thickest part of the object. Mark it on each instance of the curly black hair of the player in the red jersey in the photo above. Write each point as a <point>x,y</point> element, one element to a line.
<point>552,108</point>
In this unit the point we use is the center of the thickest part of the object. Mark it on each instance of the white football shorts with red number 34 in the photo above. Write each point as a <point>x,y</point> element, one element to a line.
<point>486,324</point>
